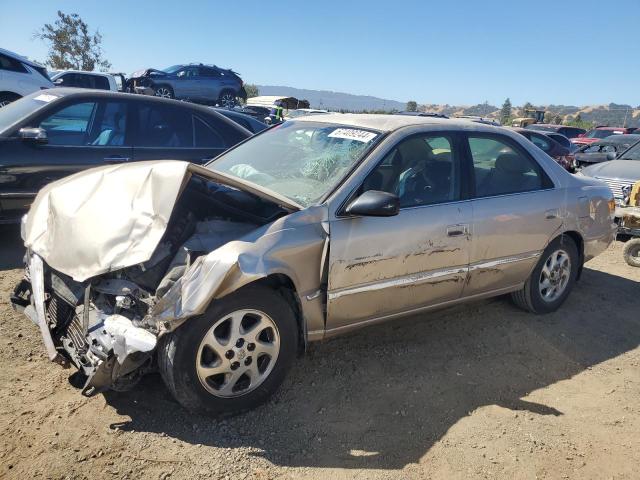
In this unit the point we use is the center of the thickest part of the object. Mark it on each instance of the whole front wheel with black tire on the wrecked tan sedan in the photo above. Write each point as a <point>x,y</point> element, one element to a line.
<point>234,356</point>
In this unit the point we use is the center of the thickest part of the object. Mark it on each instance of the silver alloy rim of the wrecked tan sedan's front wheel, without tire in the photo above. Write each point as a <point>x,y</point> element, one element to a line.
<point>237,353</point>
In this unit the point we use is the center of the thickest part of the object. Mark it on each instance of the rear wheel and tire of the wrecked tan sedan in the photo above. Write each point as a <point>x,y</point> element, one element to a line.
<point>552,279</point>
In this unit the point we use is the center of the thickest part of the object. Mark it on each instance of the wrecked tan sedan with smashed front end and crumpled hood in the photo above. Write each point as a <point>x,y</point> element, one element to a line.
<point>219,276</point>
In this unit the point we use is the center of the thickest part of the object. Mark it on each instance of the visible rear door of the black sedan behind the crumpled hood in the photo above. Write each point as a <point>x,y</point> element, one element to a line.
<point>175,133</point>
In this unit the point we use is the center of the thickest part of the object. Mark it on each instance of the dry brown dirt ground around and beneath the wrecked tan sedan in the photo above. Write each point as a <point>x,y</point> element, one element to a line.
<point>479,391</point>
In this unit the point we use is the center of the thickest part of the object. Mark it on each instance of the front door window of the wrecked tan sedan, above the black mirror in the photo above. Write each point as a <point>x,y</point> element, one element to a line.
<point>421,170</point>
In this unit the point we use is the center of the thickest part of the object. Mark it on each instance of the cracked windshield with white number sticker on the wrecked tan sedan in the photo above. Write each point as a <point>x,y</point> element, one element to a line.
<point>302,161</point>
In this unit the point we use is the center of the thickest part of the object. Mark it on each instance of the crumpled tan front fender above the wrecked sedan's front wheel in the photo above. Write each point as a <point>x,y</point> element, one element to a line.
<point>292,246</point>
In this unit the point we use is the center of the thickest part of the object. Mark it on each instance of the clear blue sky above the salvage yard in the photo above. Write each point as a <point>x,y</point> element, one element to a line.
<point>457,52</point>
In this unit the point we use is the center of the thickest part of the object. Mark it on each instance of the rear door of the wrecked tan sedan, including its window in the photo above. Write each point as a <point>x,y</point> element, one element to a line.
<point>516,211</point>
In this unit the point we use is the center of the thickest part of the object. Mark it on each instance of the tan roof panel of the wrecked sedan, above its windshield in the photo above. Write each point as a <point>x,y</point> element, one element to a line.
<point>389,123</point>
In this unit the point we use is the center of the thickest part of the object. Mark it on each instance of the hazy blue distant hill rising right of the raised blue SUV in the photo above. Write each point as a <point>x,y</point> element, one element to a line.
<point>333,100</point>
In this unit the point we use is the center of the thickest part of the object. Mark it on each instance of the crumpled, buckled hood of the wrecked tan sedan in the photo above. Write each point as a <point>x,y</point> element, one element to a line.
<point>106,218</point>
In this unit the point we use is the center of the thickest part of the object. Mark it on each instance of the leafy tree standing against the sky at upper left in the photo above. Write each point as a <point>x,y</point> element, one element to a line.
<point>71,45</point>
